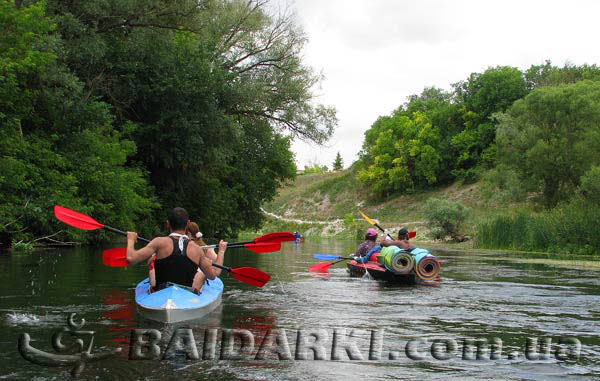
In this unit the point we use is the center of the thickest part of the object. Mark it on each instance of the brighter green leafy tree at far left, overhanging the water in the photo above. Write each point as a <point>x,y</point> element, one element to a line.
<point>57,144</point>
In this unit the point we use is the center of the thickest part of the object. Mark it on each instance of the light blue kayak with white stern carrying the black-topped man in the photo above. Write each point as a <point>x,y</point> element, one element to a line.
<point>177,303</point>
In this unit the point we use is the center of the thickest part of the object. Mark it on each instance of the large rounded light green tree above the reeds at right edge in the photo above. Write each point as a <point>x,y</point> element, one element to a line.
<point>551,138</point>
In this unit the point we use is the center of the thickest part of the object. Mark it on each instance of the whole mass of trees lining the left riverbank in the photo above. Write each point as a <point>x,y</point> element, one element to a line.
<point>127,108</point>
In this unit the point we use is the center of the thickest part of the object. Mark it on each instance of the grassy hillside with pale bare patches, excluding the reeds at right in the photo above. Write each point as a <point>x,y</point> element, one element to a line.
<point>317,204</point>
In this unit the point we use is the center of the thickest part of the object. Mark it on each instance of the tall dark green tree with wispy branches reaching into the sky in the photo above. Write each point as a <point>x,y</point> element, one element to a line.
<point>215,89</point>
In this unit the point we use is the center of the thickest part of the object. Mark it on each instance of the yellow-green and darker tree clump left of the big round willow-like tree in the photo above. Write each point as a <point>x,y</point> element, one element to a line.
<point>454,138</point>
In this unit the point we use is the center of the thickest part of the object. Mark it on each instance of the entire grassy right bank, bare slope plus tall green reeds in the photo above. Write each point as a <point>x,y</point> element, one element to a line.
<point>326,205</point>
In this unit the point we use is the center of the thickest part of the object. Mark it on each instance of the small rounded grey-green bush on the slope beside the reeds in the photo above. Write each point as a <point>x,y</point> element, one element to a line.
<point>444,217</point>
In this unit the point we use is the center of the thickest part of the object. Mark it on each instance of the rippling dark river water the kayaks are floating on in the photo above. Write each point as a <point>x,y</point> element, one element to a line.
<point>359,328</point>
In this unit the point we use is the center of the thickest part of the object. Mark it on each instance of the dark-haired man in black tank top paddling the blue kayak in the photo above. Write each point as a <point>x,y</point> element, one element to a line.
<point>177,258</point>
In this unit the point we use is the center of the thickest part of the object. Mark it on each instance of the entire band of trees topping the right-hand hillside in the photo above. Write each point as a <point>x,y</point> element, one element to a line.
<point>439,136</point>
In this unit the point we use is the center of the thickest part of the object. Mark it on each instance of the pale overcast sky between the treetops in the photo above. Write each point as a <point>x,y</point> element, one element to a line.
<point>376,53</point>
